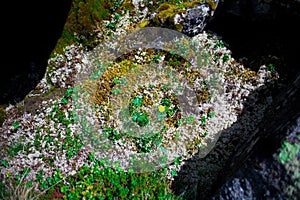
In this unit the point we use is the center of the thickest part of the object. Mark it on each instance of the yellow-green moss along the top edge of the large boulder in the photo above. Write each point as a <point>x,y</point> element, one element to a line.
<point>85,15</point>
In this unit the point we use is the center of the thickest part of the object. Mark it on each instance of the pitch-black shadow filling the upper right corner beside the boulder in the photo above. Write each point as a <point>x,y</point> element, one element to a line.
<point>257,35</point>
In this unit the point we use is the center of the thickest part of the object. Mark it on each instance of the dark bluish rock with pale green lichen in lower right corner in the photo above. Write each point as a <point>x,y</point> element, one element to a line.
<point>268,174</point>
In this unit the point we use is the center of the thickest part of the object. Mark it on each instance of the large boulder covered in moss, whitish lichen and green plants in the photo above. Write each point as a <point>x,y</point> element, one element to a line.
<point>42,134</point>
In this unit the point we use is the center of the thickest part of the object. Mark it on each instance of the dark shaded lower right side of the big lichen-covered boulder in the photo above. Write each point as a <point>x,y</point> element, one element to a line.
<point>214,169</point>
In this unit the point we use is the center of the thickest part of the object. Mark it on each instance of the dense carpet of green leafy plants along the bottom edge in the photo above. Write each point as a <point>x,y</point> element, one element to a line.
<point>100,182</point>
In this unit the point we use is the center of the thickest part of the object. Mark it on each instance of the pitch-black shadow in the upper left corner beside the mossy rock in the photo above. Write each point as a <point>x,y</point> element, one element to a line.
<point>30,30</point>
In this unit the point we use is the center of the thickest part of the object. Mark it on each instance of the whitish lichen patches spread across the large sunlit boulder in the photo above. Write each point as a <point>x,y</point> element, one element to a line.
<point>43,134</point>
